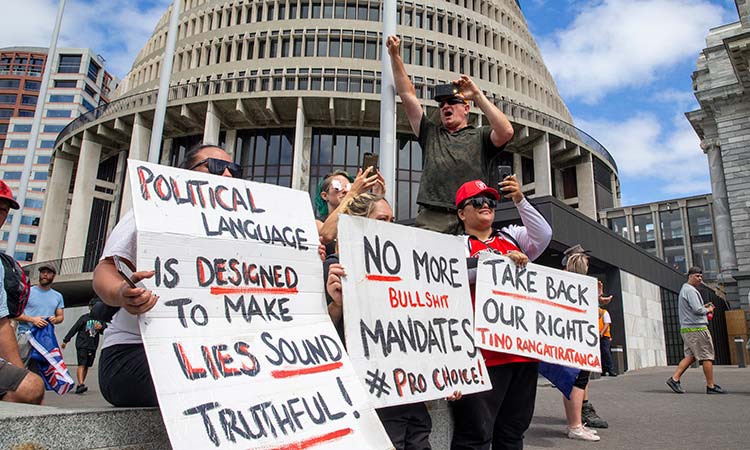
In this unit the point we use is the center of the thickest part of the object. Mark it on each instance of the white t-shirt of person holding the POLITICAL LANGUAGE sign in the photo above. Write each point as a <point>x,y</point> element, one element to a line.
<point>123,243</point>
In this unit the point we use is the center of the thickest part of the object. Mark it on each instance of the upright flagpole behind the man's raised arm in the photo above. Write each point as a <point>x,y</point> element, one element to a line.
<point>388,106</point>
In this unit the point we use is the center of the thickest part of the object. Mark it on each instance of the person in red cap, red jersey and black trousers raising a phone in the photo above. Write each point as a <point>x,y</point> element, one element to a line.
<point>499,417</point>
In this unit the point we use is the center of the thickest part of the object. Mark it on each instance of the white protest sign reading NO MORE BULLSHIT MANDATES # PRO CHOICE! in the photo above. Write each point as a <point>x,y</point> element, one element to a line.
<point>407,312</point>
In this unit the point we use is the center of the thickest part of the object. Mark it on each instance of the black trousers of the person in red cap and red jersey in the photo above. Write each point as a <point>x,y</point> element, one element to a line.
<point>498,417</point>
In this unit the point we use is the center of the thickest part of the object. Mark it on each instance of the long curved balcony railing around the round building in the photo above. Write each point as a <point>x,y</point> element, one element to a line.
<point>339,81</point>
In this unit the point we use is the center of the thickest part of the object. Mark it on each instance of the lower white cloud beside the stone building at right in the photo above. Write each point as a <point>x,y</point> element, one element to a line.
<point>650,157</point>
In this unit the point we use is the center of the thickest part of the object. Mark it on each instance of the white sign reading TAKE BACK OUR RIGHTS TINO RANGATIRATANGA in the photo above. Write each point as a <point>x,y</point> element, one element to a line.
<point>534,311</point>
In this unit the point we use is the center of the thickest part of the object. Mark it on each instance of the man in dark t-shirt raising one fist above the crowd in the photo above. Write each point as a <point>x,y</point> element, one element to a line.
<point>452,152</point>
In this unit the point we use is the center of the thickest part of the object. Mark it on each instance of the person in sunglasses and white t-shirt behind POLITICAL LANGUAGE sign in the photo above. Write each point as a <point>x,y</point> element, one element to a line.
<point>124,375</point>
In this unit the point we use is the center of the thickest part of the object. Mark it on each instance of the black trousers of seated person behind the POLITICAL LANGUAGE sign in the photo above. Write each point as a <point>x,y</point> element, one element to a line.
<point>124,376</point>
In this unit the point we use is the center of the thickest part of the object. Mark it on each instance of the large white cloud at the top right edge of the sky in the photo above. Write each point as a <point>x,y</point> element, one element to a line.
<point>613,44</point>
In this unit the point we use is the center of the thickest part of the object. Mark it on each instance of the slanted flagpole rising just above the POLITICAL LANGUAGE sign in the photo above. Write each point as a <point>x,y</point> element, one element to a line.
<point>162,97</point>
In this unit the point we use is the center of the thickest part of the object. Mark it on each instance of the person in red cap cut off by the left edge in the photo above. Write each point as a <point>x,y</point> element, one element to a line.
<point>16,383</point>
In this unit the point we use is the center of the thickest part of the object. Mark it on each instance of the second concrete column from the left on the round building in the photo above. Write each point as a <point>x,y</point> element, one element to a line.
<point>83,194</point>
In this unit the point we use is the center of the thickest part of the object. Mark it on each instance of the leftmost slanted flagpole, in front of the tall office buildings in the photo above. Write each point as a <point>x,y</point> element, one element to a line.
<point>34,138</point>
